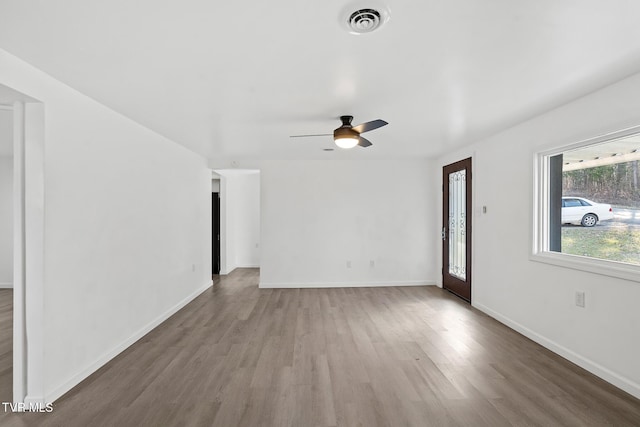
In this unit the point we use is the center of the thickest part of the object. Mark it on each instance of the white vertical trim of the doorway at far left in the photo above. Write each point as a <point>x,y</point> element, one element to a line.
<point>28,293</point>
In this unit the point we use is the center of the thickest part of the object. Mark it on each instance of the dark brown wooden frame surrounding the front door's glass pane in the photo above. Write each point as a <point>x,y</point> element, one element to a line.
<point>453,284</point>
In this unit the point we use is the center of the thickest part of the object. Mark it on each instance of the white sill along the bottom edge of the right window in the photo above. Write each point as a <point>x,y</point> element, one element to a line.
<point>591,265</point>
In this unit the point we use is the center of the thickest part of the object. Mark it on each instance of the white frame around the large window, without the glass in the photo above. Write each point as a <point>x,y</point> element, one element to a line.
<point>540,228</point>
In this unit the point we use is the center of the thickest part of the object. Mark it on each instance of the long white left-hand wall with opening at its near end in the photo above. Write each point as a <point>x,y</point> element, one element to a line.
<point>127,228</point>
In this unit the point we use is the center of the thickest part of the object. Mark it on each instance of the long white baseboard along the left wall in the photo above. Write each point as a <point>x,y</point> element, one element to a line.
<point>80,376</point>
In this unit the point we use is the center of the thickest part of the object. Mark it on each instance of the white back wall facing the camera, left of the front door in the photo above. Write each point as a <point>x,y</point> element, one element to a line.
<point>318,215</point>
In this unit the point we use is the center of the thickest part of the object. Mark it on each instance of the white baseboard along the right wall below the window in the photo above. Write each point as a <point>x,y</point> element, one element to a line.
<point>606,374</point>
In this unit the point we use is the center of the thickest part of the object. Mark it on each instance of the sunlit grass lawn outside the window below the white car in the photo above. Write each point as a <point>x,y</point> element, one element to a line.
<point>611,243</point>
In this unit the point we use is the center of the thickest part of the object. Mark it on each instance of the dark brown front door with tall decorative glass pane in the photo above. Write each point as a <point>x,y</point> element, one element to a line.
<point>456,228</point>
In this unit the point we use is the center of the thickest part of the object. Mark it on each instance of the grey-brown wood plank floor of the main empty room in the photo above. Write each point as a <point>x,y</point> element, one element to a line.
<point>412,356</point>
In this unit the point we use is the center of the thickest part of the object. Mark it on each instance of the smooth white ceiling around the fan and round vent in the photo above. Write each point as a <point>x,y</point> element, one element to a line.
<point>234,79</point>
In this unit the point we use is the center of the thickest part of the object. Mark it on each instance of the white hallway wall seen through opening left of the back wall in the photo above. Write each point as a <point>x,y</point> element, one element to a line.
<point>239,219</point>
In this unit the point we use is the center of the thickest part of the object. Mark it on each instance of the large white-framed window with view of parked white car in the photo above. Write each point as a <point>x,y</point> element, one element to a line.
<point>587,205</point>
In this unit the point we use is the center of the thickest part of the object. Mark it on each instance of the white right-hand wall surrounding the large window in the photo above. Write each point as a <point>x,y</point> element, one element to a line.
<point>538,299</point>
